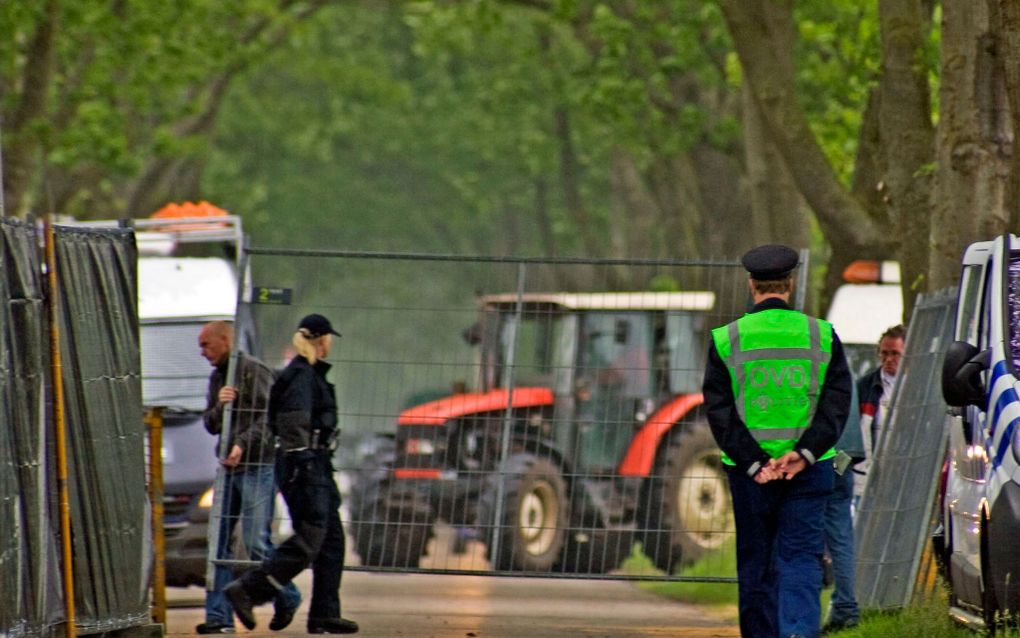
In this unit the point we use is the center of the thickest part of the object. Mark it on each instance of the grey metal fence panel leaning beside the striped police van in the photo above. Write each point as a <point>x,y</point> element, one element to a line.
<point>894,522</point>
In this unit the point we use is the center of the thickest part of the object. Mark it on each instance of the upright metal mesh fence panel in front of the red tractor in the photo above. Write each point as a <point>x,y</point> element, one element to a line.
<point>517,416</point>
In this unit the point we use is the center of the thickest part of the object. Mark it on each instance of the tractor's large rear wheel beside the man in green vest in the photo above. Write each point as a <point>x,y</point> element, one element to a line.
<point>686,509</point>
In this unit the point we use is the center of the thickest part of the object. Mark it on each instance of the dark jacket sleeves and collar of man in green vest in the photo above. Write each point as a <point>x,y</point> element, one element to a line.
<point>733,434</point>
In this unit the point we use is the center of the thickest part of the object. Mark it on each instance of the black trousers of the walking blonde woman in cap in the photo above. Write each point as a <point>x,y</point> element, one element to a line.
<point>309,487</point>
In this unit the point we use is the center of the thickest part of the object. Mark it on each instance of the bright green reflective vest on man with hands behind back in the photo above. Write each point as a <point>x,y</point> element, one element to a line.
<point>778,361</point>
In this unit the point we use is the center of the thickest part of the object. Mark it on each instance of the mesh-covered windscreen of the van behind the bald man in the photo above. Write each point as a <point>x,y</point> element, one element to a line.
<point>174,373</point>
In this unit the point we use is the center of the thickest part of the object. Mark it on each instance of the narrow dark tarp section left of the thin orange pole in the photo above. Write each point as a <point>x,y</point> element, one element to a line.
<point>30,576</point>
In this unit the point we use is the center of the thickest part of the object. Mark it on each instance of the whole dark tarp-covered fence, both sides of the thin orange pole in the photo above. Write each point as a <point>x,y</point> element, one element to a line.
<point>101,372</point>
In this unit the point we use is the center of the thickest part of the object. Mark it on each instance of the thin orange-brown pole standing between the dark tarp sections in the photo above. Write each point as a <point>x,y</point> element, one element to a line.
<point>61,444</point>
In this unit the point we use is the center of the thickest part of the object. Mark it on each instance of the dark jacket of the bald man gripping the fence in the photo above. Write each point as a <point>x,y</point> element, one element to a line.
<point>249,429</point>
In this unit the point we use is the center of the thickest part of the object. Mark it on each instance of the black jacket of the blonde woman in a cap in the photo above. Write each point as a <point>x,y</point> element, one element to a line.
<point>303,406</point>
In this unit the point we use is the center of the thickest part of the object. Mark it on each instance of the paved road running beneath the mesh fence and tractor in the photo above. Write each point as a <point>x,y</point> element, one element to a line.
<point>390,606</point>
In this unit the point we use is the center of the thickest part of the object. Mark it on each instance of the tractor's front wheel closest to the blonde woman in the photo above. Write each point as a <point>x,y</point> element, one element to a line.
<point>391,522</point>
